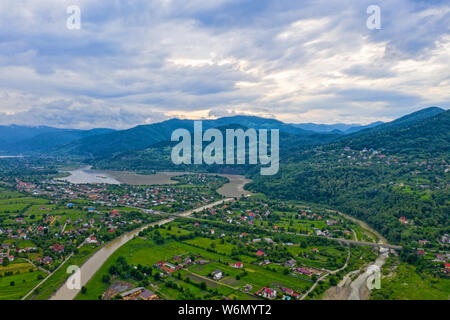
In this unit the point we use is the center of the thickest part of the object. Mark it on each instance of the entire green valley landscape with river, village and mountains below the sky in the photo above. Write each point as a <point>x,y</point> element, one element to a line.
<point>139,226</point>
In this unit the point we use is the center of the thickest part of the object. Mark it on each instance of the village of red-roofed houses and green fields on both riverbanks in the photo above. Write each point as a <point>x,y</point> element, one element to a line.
<point>247,248</point>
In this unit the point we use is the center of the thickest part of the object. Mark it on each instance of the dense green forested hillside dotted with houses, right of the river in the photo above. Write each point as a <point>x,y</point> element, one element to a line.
<point>378,176</point>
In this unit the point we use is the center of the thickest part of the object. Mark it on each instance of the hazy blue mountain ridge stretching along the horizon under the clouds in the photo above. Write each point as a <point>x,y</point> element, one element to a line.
<point>103,142</point>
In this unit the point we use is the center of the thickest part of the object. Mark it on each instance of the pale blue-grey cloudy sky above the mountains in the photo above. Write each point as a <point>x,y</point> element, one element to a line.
<point>135,62</point>
